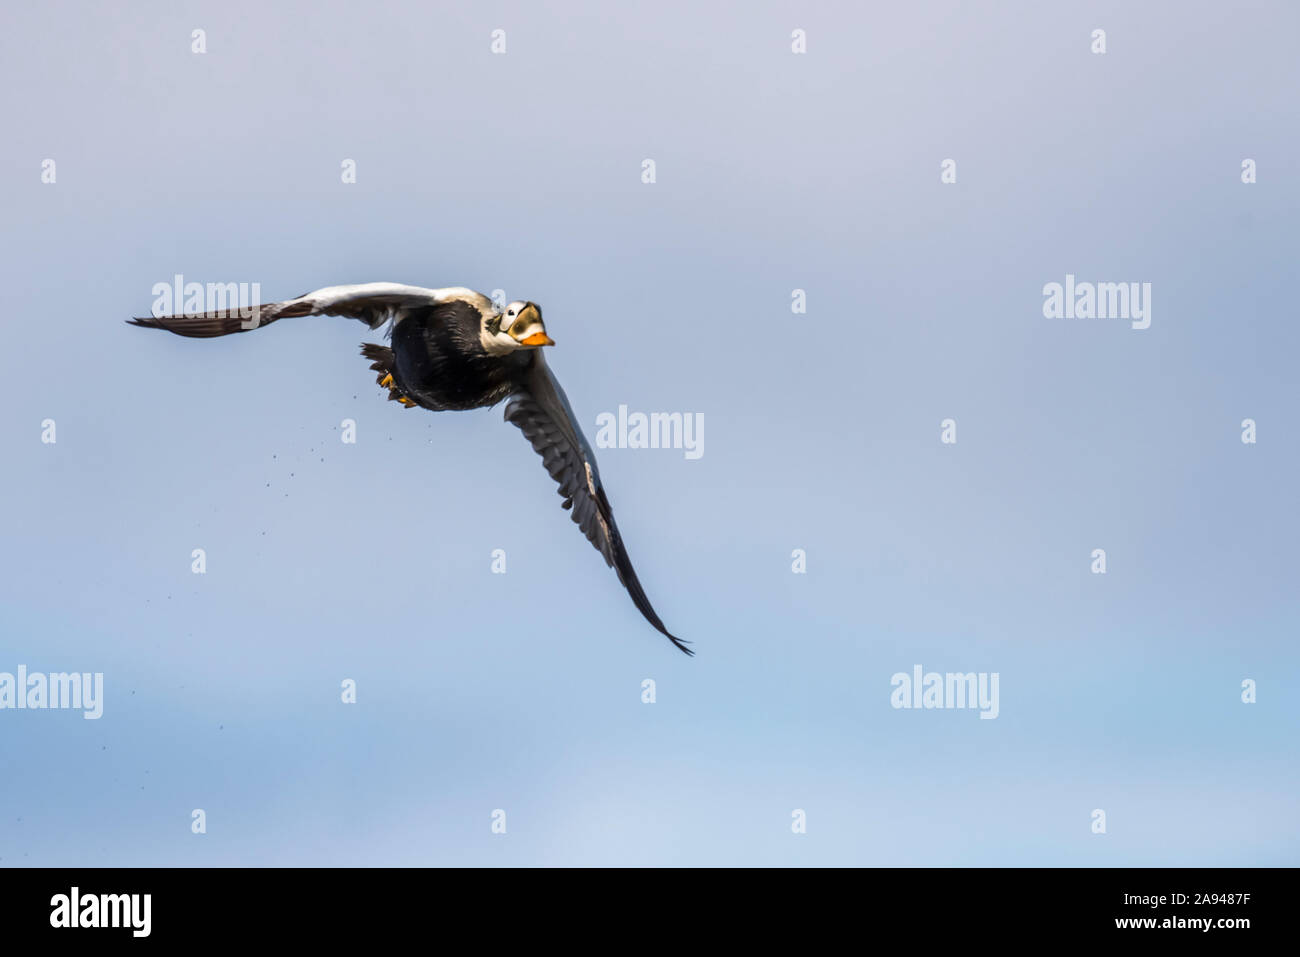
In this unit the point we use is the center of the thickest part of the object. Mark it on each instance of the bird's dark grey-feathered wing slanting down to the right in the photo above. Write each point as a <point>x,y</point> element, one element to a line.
<point>543,413</point>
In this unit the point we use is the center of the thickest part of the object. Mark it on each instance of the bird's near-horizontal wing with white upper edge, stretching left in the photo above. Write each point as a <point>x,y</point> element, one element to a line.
<point>375,304</point>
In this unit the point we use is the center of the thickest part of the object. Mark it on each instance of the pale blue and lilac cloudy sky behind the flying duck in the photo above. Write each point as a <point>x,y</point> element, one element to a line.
<point>775,172</point>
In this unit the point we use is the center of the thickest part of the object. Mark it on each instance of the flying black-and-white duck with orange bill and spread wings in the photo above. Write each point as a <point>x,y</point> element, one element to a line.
<point>453,349</point>
